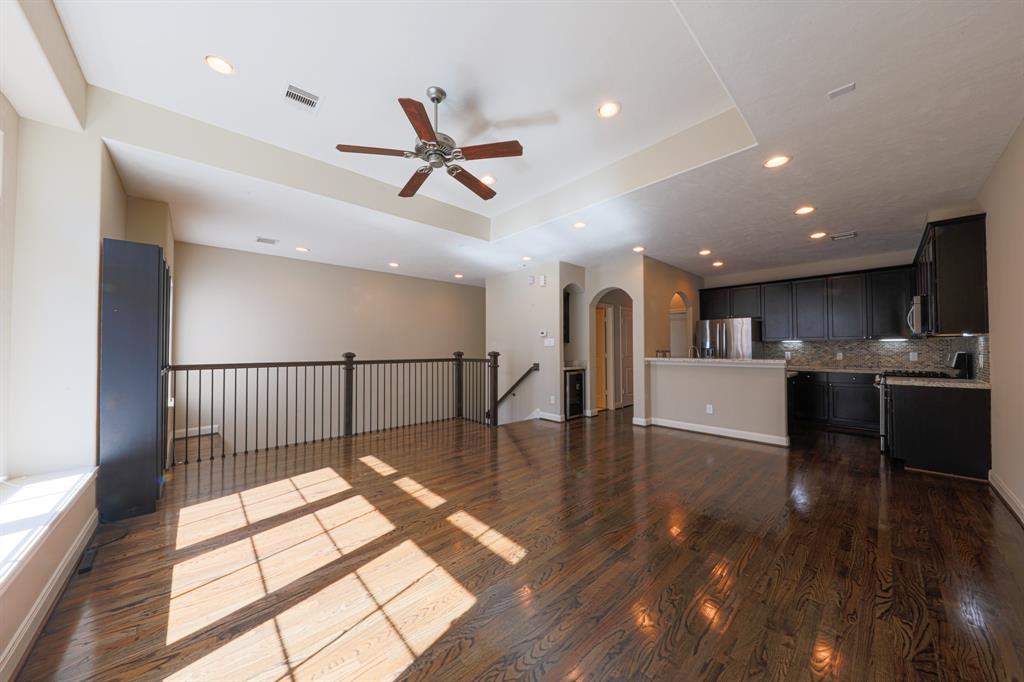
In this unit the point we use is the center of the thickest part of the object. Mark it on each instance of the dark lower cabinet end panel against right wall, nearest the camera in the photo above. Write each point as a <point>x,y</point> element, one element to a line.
<point>942,430</point>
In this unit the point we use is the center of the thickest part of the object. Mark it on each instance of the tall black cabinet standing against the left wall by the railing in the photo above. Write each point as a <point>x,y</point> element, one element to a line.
<point>135,327</point>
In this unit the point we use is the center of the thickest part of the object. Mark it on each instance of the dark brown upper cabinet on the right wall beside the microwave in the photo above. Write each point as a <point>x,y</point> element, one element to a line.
<point>952,275</point>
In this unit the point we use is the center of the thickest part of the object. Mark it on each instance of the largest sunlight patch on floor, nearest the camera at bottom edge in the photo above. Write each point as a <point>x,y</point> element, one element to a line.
<point>370,625</point>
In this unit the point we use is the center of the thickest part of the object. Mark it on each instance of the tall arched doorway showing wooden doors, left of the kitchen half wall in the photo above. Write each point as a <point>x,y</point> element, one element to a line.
<point>612,357</point>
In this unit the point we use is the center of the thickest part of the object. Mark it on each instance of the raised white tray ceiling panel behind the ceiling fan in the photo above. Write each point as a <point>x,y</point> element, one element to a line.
<point>531,71</point>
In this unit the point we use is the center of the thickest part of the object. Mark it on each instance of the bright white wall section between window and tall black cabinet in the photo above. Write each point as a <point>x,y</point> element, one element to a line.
<point>56,301</point>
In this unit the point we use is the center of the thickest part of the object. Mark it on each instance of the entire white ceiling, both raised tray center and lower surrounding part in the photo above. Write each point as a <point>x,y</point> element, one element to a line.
<point>941,90</point>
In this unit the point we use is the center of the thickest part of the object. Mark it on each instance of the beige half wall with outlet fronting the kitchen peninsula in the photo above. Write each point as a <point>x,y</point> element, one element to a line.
<point>750,403</point>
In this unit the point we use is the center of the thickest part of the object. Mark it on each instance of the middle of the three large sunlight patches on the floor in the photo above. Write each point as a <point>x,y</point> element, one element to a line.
<point>216,584</point>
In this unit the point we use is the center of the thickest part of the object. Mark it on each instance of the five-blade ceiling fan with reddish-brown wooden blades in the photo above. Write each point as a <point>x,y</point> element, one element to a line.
<point>439,150</point>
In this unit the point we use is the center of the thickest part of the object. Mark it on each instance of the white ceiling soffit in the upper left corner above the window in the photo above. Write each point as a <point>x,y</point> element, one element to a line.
<point>39,74</point>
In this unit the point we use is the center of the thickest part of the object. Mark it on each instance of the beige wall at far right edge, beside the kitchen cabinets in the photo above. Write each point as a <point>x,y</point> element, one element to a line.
<point>1003,199</point>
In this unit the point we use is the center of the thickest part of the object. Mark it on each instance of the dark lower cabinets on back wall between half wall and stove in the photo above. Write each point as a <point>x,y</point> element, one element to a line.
<point>835,399</point>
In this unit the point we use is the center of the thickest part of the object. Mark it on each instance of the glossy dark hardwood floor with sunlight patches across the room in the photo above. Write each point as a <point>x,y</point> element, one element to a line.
<point>593,550</point>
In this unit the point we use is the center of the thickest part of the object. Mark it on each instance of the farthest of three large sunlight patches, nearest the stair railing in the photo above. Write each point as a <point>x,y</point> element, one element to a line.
<point>206,521</point>
